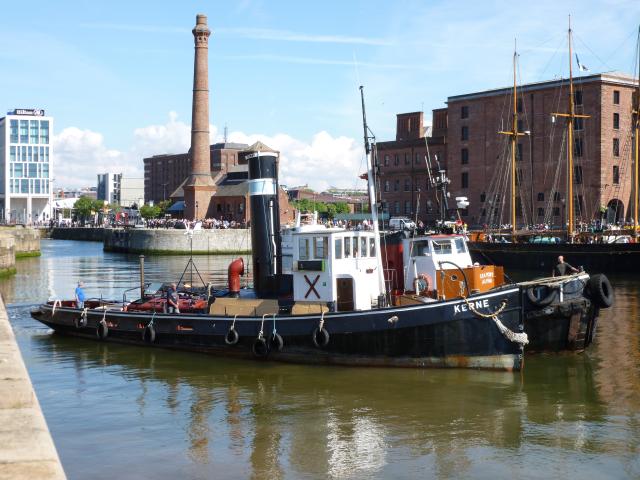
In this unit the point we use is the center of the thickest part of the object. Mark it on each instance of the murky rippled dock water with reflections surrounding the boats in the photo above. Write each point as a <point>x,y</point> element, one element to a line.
<point>165,414</point>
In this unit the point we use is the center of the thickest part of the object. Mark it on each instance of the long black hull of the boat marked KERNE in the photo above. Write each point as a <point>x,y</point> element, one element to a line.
<point>439,334</point>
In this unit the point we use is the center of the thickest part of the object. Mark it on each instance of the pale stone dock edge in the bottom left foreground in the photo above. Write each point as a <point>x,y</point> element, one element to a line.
<point>26,447</point>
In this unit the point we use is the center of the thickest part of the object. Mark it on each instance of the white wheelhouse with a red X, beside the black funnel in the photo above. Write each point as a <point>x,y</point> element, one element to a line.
<point>336,266</point>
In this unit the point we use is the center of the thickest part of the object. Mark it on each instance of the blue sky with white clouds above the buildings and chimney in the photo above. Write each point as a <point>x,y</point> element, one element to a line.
<point>117,76</point>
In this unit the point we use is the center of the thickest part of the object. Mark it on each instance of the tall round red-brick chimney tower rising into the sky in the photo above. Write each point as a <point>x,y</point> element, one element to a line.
<point>199,186</point>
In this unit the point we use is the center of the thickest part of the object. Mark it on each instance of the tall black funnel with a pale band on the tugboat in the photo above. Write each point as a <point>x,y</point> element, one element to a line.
<point>265,219</point>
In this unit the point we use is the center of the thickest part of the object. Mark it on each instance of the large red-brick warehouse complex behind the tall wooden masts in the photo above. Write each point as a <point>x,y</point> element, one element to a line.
<point>466,133</point>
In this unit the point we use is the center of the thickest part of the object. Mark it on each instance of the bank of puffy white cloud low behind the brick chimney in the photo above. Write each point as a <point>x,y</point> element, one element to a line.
<point>322,162</point>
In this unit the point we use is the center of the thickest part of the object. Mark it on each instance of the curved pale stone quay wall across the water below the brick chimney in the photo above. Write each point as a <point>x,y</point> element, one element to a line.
<point>176,242</point>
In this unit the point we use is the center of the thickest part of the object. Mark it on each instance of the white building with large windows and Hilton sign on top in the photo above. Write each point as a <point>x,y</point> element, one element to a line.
<point>26,166</point>
